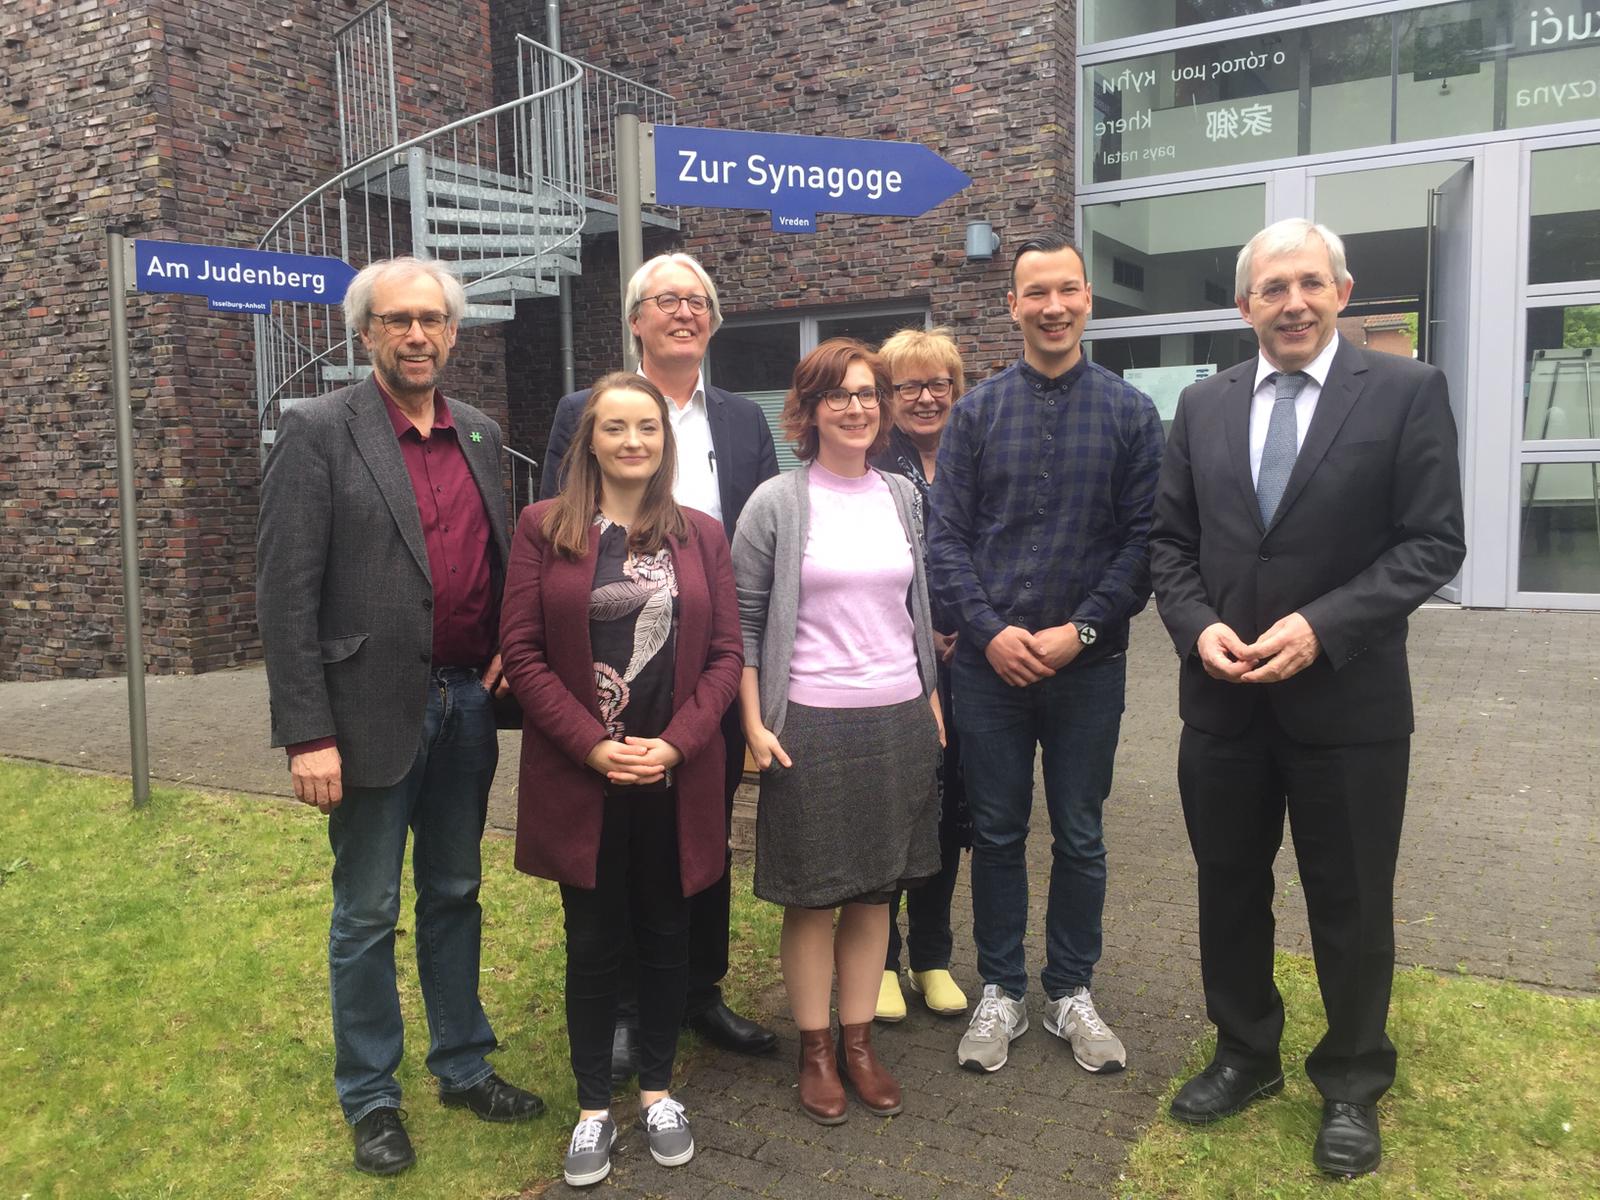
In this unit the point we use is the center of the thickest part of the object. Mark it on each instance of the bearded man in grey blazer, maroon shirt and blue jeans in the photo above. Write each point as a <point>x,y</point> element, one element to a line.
<point>382,553</point>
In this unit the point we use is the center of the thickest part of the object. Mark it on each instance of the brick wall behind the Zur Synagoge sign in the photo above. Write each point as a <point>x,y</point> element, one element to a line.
<point>988,84</point>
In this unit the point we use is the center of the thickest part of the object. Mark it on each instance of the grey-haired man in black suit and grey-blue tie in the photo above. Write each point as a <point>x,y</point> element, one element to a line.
<point>1310,503</point>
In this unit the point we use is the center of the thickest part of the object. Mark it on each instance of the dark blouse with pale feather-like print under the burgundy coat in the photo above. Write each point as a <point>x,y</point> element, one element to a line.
<point>633,633</point>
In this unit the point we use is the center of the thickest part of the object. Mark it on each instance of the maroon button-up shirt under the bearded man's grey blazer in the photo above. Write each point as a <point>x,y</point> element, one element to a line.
<point>458,538</point>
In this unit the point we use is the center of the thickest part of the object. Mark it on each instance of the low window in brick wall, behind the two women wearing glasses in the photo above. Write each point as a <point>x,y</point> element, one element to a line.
<point>758,356</point>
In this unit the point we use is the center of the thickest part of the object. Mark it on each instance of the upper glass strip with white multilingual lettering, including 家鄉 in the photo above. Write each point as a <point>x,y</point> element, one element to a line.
<point>1465,68</point>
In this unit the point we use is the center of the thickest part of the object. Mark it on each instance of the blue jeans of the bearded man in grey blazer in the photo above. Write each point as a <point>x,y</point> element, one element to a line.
<point>444,802</point>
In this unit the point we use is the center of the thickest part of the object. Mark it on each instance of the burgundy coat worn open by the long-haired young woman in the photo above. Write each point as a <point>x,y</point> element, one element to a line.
<point>548,658</point>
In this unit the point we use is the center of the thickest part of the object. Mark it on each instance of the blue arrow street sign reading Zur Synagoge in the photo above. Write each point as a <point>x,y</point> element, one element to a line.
<point>794,177</point>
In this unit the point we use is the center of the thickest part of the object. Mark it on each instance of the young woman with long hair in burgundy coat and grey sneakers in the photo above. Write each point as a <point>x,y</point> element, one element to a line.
<point>620,636</point>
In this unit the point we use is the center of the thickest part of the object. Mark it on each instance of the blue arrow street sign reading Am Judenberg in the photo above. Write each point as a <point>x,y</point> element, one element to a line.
<point>239,281</point>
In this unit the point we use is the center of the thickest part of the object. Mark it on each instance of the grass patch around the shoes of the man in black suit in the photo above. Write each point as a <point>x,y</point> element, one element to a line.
<point>1498,1095</point>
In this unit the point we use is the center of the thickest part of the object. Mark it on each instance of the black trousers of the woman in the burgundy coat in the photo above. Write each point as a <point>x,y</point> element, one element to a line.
<point>638,903</point>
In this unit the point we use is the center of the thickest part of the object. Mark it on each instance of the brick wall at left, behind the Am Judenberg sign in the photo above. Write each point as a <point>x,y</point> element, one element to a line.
<point>194,122</point>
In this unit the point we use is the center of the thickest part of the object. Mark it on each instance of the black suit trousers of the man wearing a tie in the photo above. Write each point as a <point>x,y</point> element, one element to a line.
<point>1345,806</point>
